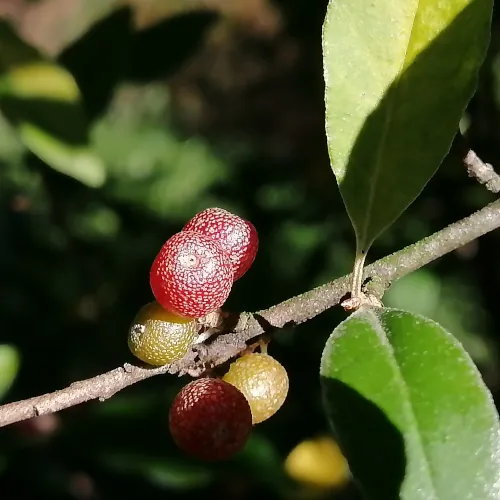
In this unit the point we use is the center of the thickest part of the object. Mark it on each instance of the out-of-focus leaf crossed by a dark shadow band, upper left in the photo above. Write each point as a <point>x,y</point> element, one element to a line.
<point>42,101</point>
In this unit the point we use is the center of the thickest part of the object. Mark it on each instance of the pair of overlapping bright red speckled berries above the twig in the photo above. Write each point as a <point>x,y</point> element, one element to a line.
<point>194,272</point>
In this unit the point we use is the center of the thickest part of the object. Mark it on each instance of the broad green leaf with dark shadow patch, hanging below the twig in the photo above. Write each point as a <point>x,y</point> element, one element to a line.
<point>410,410</point>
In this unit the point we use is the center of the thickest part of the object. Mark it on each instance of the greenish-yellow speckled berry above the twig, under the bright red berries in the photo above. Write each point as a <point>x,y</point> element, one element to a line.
<point>158,336</point>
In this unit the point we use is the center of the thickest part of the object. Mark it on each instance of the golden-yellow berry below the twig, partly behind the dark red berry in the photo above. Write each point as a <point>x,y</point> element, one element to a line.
<point>262,380</point>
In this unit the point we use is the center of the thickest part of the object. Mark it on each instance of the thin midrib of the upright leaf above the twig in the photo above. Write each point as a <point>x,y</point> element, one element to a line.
<point>385,134</point>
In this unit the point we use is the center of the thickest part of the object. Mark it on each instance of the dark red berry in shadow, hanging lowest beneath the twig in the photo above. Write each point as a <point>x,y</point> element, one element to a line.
<point>210,419</point>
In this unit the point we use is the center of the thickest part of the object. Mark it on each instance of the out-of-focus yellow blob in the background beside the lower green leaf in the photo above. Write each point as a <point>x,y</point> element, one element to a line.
<point>318,463</point>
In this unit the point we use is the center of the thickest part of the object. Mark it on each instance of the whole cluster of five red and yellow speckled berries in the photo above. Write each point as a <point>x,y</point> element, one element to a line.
<point>191,277</point>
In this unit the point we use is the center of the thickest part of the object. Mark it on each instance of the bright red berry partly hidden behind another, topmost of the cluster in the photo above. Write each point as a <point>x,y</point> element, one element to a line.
<point>237,236</point>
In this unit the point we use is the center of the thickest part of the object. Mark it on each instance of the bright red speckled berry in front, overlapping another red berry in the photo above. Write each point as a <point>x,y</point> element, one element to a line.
<point>191,276</point>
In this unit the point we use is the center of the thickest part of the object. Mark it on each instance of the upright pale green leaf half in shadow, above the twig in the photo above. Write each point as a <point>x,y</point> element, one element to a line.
<point>398,77</point>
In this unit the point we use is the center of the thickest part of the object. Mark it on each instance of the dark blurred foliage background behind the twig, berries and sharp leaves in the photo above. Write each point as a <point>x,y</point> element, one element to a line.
<point>182,105</point>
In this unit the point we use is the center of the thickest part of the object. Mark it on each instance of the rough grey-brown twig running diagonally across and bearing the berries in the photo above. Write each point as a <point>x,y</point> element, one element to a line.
<point>240,329</point>
